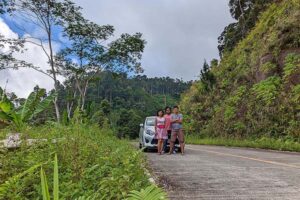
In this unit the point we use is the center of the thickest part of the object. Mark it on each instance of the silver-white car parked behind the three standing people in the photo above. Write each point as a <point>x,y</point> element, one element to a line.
<point>147,135</point>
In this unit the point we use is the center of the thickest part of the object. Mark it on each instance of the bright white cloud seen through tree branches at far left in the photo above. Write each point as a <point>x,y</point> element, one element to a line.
<point>23,81</point>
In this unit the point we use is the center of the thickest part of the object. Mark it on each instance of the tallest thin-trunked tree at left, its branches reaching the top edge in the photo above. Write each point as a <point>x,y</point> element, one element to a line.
<point>46,16</point>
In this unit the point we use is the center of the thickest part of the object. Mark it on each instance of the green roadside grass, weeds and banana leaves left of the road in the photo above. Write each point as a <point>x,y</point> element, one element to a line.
<point>90,161</point>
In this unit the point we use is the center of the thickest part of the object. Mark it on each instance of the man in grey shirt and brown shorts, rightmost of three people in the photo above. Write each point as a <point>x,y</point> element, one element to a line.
<point>177,132</point>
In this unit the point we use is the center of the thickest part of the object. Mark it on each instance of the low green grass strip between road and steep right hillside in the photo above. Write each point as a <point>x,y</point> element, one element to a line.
<point>261,143</point>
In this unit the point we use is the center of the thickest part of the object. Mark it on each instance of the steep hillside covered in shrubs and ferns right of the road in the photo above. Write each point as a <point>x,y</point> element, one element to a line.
<point>254,91</point>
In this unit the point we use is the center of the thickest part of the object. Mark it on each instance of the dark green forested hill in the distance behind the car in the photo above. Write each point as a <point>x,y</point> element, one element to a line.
<point>114,99</point>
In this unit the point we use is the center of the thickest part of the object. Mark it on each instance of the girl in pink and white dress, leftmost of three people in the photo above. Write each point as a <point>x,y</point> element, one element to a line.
<point>160,130</point>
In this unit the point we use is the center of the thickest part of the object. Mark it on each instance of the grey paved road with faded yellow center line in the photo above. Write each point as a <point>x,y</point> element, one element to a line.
<point>209,172</point>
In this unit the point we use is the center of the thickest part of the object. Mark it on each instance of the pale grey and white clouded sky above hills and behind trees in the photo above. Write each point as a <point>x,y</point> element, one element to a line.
<point>180,34</point>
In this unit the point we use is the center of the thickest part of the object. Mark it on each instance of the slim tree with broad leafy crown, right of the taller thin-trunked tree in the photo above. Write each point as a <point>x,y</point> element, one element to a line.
<point>87,55</point>
